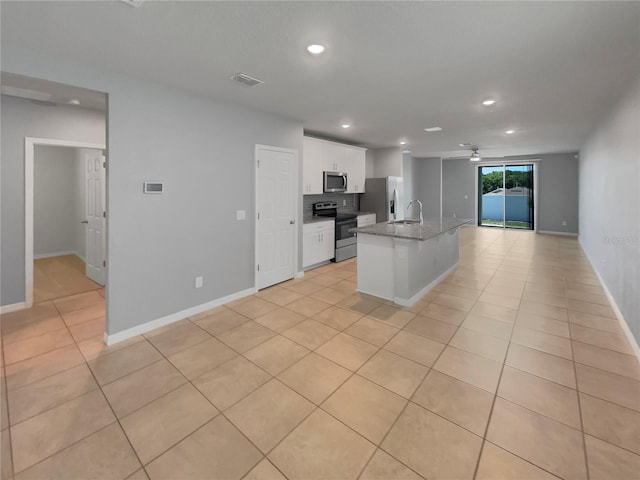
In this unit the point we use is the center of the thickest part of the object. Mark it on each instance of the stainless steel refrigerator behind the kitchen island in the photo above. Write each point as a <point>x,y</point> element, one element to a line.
<point>384,196</point>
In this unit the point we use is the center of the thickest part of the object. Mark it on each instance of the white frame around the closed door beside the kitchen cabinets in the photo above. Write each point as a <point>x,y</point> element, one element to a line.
<point>296,209</point>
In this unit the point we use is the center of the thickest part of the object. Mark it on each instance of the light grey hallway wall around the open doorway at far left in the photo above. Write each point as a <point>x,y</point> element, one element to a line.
<point>20,119</point>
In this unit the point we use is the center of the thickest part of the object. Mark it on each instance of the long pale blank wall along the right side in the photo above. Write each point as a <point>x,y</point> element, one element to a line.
<point>610,204</point>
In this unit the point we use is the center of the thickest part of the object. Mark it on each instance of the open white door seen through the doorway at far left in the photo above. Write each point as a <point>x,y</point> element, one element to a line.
<point>95,215</point>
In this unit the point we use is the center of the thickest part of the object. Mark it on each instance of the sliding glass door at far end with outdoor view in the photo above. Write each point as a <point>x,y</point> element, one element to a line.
<point>506,196</point>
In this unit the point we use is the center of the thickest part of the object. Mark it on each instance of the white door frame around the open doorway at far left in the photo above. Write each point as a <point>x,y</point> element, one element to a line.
<point>29,152</point>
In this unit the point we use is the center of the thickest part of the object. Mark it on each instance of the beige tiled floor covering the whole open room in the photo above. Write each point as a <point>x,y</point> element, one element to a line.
<point>513,368</point>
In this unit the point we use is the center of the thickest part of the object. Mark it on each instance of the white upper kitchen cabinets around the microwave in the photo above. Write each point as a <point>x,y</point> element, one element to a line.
<point>320,156</point>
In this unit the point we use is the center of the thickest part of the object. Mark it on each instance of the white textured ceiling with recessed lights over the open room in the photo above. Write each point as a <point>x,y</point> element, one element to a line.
<point>391,68</point>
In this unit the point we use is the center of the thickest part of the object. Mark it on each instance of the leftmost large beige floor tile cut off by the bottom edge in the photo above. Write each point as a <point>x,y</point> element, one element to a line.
<point>105,454</point>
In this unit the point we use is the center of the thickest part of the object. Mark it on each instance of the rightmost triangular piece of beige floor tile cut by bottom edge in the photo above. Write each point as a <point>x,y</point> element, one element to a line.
<point>496,463</point>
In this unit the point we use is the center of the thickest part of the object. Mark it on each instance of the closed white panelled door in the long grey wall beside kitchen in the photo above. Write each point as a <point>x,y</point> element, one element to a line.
<point>276,214</point>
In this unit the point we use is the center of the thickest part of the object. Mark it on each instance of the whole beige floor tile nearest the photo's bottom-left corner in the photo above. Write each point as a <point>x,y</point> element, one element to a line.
<point>39,437</point>
